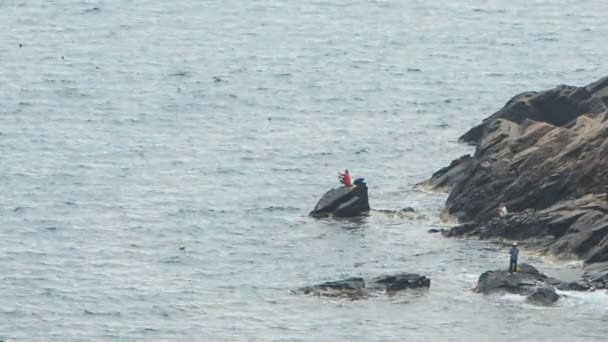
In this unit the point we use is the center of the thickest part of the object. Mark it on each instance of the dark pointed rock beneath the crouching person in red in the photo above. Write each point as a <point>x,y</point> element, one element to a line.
<point>343,202</point>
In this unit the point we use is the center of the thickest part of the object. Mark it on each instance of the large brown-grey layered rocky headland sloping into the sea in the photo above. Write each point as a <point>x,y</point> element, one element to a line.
<point>545,155</point>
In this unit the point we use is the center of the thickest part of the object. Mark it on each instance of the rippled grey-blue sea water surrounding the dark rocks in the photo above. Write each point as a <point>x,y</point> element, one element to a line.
<point>158,160</point>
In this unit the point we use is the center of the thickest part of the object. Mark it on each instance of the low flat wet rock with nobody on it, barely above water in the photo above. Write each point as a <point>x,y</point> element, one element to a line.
<point>357,288</point>
